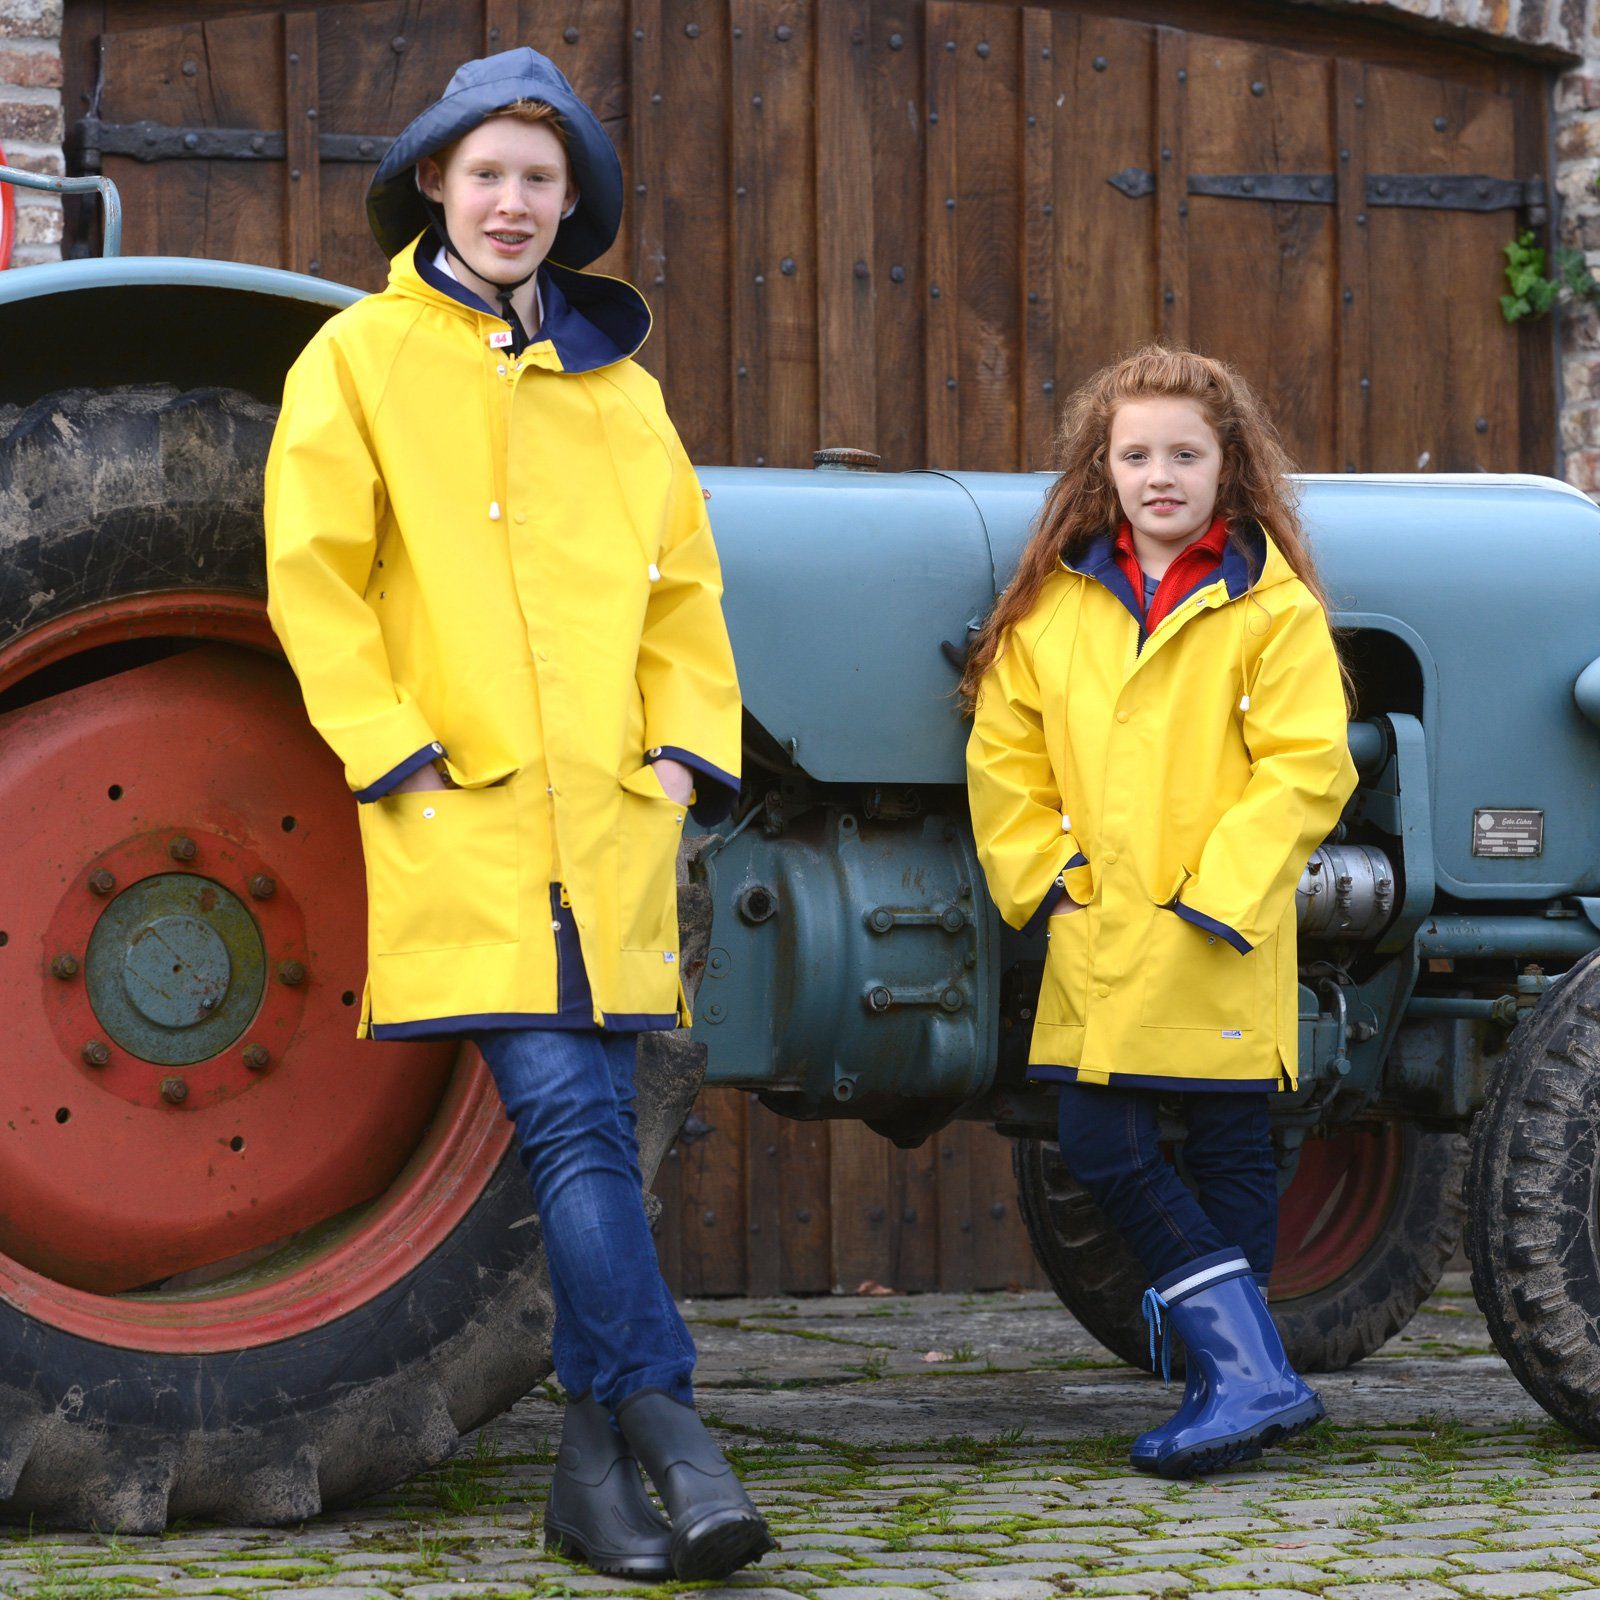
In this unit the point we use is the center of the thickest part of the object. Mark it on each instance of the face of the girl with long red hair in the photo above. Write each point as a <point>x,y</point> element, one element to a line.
<point>1166,463</point>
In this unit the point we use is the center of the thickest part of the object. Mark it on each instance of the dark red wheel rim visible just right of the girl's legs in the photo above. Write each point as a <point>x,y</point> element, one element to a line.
<point>1338,1207</point>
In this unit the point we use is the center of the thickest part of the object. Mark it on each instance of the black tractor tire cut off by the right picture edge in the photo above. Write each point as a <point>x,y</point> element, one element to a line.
<point>1534,1236</point>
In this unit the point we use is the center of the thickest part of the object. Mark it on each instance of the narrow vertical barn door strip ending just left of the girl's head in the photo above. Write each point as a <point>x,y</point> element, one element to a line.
<point>1038,279</point>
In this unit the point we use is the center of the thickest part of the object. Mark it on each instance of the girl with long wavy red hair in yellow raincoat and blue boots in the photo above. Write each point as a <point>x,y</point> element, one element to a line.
<point>1159,745</point>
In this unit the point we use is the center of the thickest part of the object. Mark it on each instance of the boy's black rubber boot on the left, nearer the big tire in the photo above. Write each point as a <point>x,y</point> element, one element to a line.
<point>599,1511</point>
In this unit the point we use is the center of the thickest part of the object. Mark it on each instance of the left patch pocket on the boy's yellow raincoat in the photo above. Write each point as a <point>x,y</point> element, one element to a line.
<point>441,870</point>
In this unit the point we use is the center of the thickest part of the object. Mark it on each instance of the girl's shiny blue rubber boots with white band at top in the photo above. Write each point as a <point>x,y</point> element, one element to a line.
<point>1252,1394</point>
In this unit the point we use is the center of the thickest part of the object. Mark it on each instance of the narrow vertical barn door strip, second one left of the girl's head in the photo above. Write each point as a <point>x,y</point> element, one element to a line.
<point>943,434</point>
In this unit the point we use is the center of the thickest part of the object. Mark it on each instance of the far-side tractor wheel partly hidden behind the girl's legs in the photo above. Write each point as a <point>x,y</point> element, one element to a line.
<point>1350,1276</point>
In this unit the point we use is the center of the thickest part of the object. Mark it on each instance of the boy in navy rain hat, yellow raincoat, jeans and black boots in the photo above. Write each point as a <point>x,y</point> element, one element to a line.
<point>492,570</point>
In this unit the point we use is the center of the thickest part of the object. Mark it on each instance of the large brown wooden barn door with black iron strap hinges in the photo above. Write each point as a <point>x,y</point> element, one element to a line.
<point>911,226</point>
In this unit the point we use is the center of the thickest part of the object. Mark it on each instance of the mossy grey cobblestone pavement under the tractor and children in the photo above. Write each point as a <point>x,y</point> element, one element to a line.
<point>994,1474</point>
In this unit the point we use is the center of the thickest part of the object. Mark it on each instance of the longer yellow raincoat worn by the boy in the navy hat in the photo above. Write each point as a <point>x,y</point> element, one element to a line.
<point>503,562</point>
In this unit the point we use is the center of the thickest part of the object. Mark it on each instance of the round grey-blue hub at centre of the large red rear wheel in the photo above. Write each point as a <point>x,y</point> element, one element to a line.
<point>177,969</point>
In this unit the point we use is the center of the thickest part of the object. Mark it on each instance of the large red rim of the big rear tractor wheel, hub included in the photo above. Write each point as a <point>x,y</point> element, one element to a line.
<point>190,910</point>
